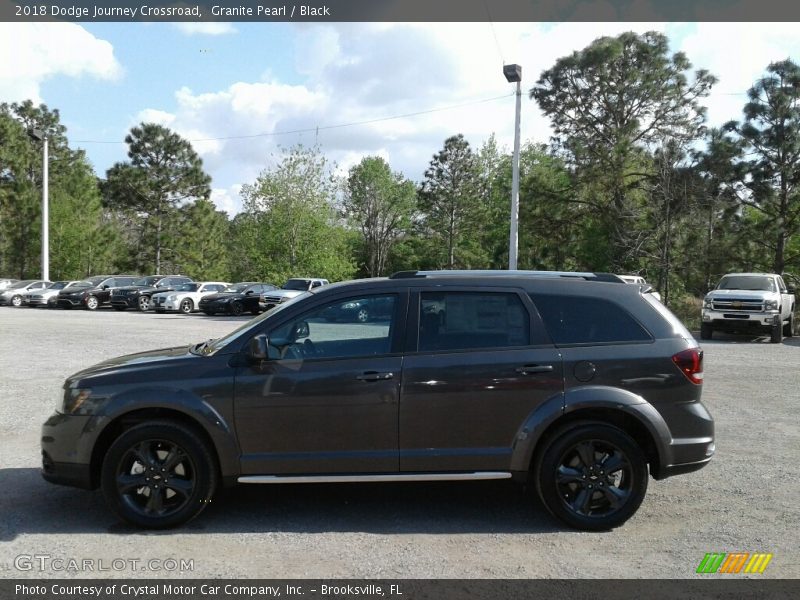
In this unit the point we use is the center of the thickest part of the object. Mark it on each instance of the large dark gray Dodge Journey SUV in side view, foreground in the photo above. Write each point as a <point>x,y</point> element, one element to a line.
<point>574,384</point>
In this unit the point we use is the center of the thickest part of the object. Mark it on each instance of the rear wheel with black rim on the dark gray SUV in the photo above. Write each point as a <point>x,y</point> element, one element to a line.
<point>588,496</point>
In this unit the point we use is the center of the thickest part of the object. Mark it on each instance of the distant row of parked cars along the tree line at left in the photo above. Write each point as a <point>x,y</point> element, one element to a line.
<point>161,293</point>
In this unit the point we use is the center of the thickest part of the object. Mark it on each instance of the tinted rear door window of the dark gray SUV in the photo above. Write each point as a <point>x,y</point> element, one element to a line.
<point>472,320</point>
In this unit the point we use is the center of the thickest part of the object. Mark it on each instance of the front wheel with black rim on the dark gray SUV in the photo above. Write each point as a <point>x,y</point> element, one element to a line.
<point>148,449</point>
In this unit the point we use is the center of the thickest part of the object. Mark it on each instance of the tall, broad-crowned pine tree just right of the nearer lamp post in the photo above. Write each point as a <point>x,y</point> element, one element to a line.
<point>608,104</point>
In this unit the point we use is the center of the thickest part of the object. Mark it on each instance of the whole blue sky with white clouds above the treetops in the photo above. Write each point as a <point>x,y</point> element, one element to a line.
<point>215,80</point>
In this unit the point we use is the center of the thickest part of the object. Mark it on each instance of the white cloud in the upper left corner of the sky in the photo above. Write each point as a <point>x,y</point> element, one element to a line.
<point>44,50</point>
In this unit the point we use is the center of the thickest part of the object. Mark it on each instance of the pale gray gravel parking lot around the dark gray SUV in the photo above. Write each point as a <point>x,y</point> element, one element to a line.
<point>746,500</point>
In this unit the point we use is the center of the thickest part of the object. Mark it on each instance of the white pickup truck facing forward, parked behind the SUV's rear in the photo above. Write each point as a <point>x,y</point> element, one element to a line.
<point>744,302</point>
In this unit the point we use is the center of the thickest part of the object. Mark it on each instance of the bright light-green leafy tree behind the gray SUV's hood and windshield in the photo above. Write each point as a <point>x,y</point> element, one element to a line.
<point>290,228</point>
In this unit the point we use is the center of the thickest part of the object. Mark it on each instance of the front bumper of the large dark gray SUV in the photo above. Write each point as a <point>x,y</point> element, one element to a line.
<point>66,451</point>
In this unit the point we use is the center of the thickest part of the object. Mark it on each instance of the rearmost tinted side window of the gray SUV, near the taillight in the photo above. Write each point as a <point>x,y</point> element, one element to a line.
<point>584,320</point>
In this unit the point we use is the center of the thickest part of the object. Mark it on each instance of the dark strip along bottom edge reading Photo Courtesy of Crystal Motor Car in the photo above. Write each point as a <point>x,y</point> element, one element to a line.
<point>397,589</point>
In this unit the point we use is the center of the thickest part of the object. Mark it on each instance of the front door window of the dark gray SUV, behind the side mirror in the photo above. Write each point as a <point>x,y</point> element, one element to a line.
<point>342,329</point>
